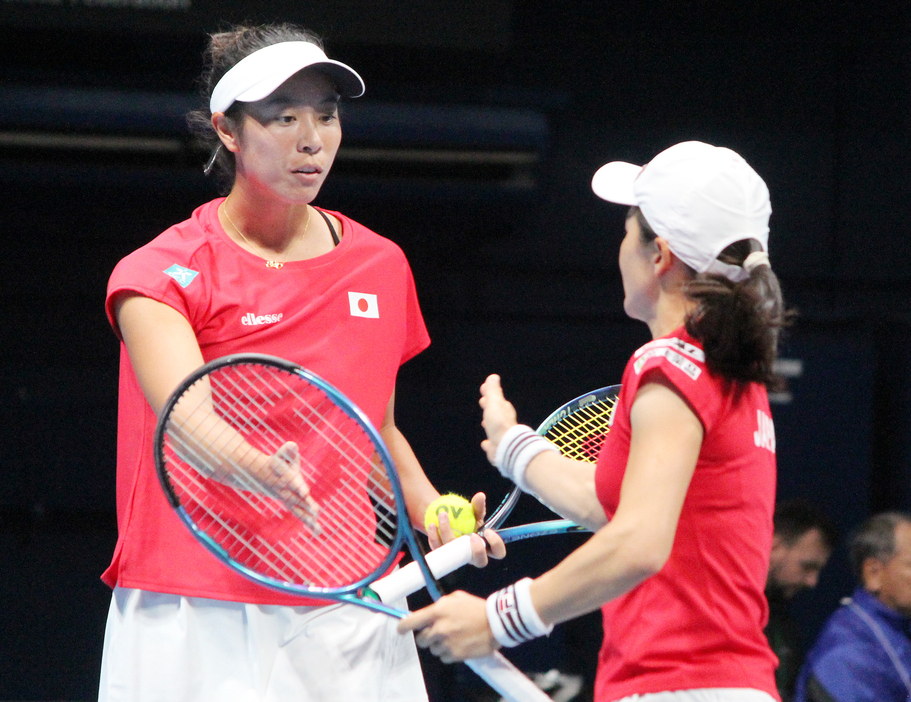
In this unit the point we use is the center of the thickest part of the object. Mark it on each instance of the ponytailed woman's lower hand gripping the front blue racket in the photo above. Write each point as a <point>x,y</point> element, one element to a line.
<point>453,628</point>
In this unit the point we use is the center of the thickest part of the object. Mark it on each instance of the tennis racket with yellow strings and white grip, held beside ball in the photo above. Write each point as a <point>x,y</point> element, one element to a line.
<point>578,429</point>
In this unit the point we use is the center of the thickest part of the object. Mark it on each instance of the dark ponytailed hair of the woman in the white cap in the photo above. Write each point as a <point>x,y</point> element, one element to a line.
<point>739,324</point>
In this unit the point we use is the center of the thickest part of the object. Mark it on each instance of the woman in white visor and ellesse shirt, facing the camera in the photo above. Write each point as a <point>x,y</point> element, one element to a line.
<point>261,270</point>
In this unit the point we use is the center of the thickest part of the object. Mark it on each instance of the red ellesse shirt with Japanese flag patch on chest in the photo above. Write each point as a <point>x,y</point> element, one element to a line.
<point>351,316</point>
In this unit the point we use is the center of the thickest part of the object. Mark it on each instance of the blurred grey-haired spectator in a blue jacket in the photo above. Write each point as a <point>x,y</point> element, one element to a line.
<point>864,651</point>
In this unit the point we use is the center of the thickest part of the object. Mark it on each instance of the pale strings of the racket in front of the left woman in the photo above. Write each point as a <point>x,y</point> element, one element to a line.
<point>248,516</point>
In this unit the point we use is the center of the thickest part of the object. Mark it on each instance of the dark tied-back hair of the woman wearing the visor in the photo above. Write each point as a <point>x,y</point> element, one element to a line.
<point>225,49</point>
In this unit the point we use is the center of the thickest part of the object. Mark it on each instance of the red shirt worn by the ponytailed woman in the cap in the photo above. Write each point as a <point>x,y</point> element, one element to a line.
<point>698,622</point>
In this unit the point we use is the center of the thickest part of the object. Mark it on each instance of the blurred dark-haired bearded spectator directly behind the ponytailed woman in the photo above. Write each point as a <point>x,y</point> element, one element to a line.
<point>802,543</point>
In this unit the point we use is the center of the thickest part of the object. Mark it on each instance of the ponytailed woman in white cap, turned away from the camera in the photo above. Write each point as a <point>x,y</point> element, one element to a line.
<point>682,496</point>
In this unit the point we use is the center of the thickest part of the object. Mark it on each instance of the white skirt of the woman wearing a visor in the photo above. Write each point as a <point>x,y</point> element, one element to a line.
<point>160,647</point>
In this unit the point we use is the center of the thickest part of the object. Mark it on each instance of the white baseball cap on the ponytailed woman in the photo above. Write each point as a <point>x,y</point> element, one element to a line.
<point>698,197</point>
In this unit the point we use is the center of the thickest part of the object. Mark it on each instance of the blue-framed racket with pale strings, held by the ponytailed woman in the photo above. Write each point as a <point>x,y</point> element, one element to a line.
<point>284,480</point>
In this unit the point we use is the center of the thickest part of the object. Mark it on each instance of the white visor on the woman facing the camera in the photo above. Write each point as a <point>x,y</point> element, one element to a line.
<point>256,76</point>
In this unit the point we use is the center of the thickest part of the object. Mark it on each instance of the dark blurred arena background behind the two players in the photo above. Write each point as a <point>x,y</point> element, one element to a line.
<point>473,149</point>
